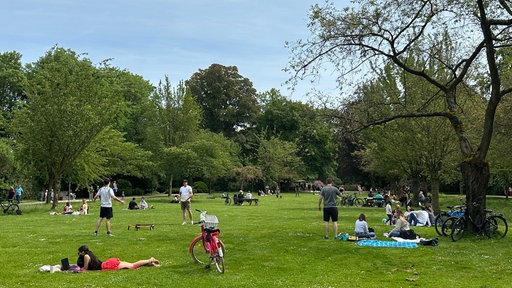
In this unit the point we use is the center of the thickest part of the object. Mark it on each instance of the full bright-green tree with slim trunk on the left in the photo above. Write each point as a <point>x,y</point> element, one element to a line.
<point>69,103</point>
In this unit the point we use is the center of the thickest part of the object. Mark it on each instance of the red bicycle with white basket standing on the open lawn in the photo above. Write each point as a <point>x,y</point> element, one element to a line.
<point>207,248</point>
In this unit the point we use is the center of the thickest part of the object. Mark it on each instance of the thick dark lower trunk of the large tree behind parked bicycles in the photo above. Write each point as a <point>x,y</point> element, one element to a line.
<point>476,179</point>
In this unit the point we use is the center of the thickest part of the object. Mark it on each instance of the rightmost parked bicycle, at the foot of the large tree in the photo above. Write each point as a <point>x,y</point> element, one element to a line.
<point>493,225</point>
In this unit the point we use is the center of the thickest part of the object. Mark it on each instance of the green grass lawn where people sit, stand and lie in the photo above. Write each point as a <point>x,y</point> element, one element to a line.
<point>275,244</point>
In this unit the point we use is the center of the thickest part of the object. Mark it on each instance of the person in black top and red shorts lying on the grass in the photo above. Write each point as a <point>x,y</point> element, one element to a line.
<point>88,261</point>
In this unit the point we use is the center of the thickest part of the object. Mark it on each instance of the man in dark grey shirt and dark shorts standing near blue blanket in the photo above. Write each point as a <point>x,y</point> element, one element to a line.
<point>328,195</point>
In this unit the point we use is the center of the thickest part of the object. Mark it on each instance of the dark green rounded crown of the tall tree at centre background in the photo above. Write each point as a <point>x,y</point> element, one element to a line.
<point>228,99</point>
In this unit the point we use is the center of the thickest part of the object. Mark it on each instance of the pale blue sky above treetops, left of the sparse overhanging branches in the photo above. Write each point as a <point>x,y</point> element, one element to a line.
<point>154,38</point>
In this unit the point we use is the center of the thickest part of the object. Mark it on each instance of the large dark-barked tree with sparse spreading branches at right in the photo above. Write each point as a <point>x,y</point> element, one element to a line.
<point>386,31</point>
